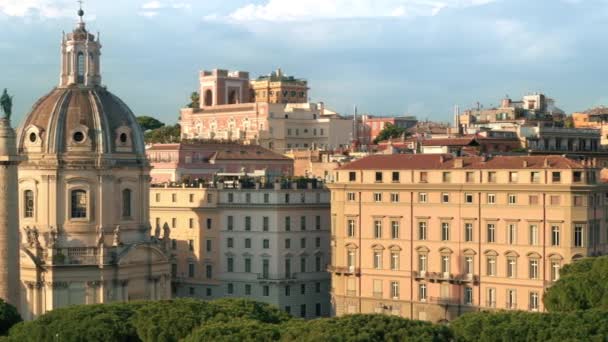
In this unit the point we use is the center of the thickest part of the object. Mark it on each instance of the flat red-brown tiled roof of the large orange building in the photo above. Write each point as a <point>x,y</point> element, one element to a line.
<point>447,161</point>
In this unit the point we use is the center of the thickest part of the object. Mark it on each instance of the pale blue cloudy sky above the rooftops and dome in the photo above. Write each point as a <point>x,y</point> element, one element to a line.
<point>387,57</point>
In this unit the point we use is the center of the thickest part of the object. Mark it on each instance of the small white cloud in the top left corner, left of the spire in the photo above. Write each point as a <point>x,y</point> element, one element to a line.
<point>44,8</point>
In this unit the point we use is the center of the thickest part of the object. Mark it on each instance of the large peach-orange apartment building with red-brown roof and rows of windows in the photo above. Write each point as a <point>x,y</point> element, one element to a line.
<point>433,236</point>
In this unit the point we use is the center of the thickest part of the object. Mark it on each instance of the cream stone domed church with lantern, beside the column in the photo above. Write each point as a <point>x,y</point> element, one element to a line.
<point>83,194</point>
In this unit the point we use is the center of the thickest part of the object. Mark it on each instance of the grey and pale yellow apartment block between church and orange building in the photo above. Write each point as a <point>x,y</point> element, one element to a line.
<point>268,243</point>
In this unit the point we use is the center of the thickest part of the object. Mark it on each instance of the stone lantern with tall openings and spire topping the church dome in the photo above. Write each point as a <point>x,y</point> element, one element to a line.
<point>80,57</point>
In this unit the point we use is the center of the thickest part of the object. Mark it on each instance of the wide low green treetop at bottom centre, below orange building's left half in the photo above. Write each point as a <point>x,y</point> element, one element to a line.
<point>365,328</point>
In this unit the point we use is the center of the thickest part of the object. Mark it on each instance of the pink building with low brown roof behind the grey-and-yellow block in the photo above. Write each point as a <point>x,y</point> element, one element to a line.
<point>174,162</point>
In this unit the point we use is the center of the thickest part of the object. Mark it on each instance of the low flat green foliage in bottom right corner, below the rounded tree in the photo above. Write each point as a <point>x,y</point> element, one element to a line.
<point>589,325</point>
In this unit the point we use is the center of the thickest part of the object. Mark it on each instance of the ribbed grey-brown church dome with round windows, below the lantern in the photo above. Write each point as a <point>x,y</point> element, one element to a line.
<point>84,121</point>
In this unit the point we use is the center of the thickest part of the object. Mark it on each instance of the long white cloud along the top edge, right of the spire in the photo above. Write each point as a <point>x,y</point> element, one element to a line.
<point>288,10</point>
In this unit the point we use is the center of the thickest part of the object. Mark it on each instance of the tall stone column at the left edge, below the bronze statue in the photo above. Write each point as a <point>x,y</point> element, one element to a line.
<point>9,216</point>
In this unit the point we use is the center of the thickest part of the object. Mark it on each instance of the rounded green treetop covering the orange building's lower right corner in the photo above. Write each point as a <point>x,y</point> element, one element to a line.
<point>582,285</point>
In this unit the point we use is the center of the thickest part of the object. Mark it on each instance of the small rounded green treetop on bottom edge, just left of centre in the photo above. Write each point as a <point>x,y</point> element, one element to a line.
<point>238,330</point>
